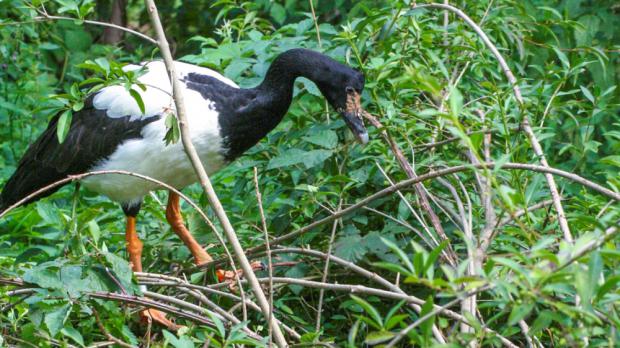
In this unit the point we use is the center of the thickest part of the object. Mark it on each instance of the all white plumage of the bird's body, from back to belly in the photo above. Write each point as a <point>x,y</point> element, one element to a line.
<point>150,155</point>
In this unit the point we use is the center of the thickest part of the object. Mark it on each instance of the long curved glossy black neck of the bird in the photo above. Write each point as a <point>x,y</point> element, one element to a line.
<point>247,115</point>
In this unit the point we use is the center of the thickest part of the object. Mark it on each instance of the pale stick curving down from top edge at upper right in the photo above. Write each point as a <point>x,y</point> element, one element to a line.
<point>527,128</point>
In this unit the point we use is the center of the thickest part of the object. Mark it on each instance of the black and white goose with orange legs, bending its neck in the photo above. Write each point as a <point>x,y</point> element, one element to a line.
<point>112,132</point>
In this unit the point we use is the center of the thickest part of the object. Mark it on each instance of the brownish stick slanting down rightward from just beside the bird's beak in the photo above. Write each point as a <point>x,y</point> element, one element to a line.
<point>404,164</point>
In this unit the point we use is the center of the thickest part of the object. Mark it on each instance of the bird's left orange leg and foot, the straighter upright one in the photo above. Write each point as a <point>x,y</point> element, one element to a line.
<point>134,248</point>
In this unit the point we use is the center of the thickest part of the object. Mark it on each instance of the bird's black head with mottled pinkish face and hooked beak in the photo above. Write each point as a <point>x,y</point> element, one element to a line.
<point>343,89</point>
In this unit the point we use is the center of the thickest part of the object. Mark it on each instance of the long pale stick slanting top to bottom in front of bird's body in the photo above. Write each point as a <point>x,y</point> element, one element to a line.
<point>205,182</point>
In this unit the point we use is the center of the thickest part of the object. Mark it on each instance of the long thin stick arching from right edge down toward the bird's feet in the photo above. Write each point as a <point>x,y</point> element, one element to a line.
<point>442,172</point>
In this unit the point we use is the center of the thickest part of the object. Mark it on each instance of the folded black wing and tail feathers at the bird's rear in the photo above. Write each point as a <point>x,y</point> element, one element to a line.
<point>93,136</point>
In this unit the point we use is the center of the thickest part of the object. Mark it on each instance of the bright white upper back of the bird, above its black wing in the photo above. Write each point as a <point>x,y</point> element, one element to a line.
<point>157,97</point>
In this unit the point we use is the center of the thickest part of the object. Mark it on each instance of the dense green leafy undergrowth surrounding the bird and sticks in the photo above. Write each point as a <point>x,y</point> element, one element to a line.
<point>427,80</point>
